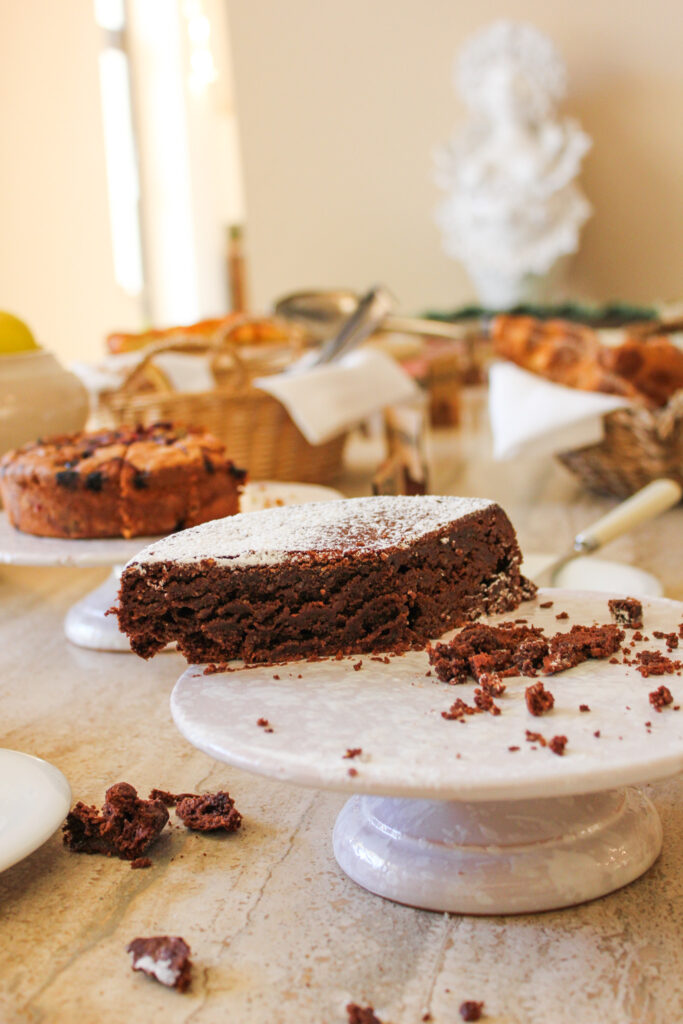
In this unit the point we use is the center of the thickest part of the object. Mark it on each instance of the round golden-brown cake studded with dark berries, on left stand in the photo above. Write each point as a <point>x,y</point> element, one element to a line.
<point>132,482</point>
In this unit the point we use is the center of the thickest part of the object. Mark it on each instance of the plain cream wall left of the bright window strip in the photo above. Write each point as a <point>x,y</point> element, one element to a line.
<point>57,267</point>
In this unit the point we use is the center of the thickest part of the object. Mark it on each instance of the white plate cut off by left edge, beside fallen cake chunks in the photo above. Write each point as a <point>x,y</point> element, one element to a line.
<point>35,799</point>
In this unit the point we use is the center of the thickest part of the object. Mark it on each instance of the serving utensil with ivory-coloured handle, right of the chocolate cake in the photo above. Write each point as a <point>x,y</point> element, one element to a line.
<point>648,503</point>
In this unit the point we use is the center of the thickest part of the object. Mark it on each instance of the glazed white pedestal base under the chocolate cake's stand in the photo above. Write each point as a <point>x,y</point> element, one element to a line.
<point>513,857</point>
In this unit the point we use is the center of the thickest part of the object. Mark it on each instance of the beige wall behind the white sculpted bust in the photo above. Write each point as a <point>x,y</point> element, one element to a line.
<point>341,105</point>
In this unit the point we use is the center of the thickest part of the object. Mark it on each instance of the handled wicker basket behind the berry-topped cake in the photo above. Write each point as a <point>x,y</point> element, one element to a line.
<point>258,432</point>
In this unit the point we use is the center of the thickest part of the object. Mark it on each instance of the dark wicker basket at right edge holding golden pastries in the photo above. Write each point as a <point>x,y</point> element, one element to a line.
<point>639,446</point>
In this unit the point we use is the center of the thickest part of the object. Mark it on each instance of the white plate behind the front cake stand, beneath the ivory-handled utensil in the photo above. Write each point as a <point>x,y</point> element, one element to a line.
<point>589,573</point>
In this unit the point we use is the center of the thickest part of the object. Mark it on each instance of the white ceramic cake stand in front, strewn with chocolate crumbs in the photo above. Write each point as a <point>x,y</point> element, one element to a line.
<point>445,816</point>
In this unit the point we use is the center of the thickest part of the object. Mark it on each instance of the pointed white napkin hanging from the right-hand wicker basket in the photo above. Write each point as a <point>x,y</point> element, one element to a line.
<point>533,416</point>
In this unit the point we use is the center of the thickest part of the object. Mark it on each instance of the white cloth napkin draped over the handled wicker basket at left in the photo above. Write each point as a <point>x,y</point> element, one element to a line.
<point>328,400</point>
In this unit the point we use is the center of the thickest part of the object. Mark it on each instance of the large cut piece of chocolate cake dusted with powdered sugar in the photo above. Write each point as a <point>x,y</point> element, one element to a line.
<point>337,578</point>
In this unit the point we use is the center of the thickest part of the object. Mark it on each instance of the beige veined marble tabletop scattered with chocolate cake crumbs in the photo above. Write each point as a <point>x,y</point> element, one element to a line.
<point>278,932</point>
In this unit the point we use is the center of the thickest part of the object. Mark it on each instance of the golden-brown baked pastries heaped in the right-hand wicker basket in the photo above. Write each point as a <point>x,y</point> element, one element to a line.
<point>642,363</point>
